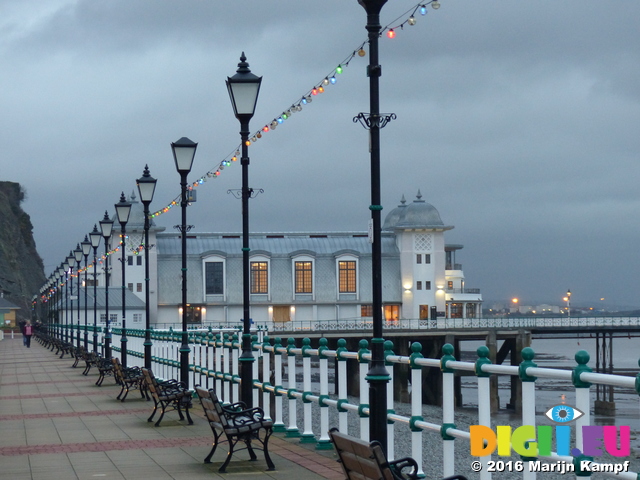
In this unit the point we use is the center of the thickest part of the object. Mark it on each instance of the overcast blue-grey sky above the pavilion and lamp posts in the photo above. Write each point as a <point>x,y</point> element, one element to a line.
<point>515,119</point>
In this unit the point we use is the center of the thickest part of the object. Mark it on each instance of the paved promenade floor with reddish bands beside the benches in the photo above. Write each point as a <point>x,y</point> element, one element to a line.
<point>55,424</point>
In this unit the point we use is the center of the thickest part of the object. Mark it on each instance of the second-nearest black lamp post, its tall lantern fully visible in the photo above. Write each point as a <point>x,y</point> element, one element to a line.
<point>244,88</point>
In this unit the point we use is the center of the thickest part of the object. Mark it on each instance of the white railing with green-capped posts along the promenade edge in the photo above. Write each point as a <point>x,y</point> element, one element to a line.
<point>277,388</point>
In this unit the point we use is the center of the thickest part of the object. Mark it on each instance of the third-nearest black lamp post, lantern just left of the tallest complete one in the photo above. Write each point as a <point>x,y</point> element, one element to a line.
<point>183,152</point>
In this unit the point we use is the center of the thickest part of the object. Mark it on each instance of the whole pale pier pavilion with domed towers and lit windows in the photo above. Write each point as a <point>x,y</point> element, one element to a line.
<point>299,277</point>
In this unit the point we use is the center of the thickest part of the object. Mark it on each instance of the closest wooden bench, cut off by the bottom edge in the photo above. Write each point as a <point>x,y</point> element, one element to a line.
<point>366,461</point>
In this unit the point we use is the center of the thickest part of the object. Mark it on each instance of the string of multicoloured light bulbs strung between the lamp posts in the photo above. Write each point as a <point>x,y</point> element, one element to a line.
<point>408,18</point>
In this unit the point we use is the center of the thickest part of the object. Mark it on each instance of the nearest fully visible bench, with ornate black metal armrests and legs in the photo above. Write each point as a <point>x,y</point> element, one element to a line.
<point>238,424</point>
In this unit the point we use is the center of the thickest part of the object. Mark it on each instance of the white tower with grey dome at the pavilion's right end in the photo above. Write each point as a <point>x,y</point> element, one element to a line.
<point>419,232</point>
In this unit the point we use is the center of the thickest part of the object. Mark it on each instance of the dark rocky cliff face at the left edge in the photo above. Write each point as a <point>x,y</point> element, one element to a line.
<point>21,268</point>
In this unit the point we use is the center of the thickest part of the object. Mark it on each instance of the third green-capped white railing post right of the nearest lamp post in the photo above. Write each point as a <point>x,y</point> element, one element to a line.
<point>448,407</point>
